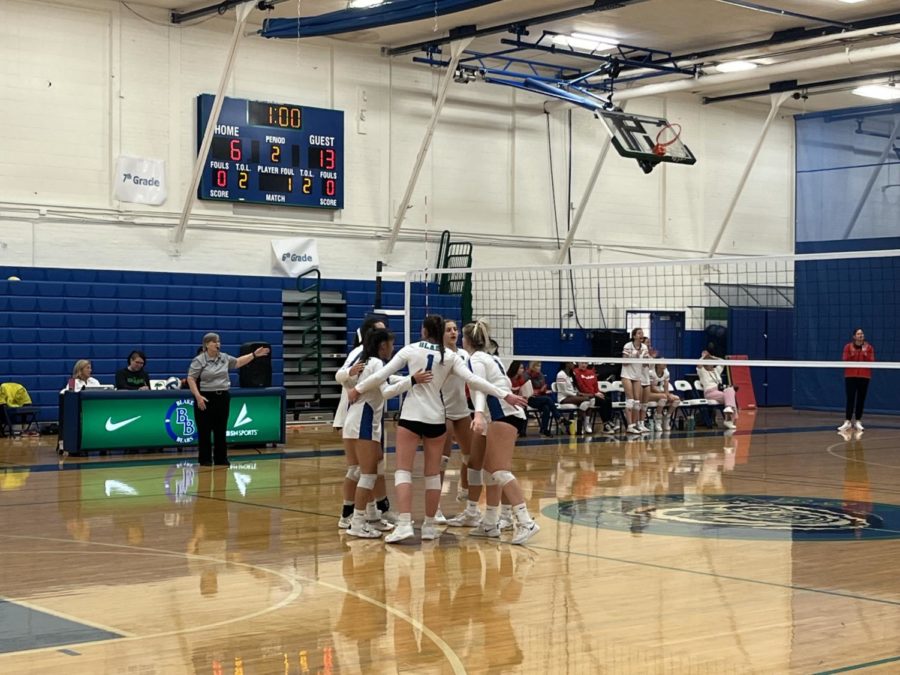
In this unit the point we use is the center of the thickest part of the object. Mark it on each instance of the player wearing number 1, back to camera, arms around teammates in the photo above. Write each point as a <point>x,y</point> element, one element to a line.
<point>422,417</point>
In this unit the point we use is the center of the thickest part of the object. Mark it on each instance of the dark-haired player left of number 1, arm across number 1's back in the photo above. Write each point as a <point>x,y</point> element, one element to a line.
<point>362,429</point>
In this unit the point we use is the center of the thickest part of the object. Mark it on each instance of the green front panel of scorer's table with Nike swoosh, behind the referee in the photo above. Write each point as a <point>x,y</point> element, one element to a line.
<point>166,422</point>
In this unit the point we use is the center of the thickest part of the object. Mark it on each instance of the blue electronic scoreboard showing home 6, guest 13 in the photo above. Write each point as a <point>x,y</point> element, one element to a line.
<point>273,153</point>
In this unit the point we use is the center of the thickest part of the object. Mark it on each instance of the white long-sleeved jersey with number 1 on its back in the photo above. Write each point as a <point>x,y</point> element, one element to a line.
<point>424,402</point>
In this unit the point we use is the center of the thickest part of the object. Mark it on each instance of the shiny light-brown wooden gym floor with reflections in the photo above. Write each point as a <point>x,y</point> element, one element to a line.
<point>770,551</point>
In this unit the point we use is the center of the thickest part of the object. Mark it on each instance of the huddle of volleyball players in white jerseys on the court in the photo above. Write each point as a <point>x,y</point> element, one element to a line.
<point>435,403</point>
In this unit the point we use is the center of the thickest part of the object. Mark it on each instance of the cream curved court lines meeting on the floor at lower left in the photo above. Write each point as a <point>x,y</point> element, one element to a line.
<point>452,658</point>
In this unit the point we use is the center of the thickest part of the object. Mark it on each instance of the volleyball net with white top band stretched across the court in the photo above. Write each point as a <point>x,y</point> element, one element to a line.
<point>785,319</point>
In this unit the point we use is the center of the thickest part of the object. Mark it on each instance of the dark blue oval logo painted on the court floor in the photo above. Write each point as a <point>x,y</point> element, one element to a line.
<point>735,516</point>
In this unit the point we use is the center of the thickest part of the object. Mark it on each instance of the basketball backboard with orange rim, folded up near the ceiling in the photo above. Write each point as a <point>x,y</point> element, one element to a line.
<point>649,140</point>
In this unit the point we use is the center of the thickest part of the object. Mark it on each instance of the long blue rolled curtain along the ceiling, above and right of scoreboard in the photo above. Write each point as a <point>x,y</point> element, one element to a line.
<point>349,20</point>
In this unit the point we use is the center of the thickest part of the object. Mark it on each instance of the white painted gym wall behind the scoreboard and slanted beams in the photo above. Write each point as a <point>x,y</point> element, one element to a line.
<point>84,82</point>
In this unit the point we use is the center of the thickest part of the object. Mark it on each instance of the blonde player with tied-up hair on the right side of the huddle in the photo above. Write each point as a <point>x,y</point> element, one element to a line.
<point>504,422</point>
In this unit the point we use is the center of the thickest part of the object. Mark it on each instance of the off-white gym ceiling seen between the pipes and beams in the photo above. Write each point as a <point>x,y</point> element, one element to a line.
<point>682,27</point>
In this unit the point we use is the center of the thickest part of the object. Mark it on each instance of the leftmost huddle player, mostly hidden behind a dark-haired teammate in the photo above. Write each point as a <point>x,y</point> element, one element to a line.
<point>347,376</point>
